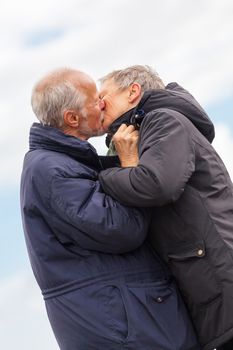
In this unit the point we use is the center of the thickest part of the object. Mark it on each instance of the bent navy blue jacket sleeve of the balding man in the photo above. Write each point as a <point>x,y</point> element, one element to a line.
<point>82,214</point>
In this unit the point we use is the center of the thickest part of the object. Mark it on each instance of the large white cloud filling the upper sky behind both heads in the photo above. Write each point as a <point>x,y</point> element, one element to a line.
<point>187,41</point>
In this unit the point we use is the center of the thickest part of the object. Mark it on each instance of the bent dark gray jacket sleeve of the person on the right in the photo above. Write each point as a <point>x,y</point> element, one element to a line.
<point>167,160</point>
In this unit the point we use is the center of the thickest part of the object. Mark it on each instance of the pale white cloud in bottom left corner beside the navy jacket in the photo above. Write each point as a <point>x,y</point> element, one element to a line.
<point>23,320</point>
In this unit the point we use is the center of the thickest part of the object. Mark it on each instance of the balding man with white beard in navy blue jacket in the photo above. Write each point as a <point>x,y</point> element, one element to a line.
<point>104,287</point>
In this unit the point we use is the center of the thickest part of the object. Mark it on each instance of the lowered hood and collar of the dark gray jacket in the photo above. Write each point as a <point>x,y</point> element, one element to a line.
<point>172,97</point>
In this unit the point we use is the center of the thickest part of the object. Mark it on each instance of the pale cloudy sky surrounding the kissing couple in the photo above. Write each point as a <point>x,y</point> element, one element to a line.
<point>188,41</point>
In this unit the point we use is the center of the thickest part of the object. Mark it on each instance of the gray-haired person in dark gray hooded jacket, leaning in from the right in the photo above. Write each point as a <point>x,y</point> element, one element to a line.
<point>179,174</point>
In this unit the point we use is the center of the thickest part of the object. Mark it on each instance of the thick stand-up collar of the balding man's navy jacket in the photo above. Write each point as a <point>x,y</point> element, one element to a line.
<point>52,139</point>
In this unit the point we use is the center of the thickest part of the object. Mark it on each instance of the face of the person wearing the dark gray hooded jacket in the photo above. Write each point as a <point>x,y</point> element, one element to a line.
<point>114,102</point>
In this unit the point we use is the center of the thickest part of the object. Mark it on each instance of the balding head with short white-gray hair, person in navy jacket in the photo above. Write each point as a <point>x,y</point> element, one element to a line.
<point>53,95</point>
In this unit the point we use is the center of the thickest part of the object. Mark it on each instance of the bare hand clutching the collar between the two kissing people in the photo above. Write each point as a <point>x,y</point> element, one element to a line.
<point>126,143</point>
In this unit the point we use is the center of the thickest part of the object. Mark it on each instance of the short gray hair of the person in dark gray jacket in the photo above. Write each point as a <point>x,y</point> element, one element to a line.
<point>146,76</point>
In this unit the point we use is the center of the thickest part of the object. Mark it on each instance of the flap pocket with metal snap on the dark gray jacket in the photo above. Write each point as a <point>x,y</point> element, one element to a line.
<point>195,274</point>
